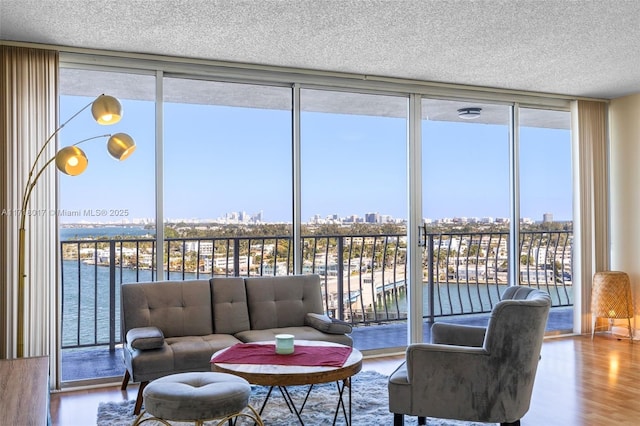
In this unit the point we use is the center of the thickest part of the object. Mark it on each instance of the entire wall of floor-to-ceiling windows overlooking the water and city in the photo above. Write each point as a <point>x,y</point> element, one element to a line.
<point>224,182</point>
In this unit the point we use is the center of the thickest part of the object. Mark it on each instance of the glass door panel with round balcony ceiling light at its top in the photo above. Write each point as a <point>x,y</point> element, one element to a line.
<point>466,199</point>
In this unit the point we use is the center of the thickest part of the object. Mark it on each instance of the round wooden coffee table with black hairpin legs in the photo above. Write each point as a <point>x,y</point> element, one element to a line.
<point>281,376</point>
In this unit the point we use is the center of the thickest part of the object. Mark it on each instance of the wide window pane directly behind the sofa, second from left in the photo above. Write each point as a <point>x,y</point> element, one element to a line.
<point>227,179</point>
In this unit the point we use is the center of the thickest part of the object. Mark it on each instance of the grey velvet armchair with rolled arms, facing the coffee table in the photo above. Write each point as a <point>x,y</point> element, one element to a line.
<point>475,373</point>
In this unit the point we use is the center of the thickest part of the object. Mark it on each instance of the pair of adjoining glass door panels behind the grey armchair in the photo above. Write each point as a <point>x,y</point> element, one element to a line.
<point>482,182</point>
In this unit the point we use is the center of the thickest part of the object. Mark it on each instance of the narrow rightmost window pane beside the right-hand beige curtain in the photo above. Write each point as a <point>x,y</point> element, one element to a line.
<point>546,197</point>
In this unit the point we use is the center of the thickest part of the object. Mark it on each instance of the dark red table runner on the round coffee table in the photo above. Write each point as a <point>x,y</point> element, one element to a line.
<point>309,356</point>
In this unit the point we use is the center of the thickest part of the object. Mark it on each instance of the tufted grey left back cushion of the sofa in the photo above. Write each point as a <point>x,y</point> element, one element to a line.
<point>178,308</point>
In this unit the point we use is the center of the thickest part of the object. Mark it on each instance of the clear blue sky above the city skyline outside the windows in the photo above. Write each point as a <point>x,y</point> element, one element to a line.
<point>227,159</point>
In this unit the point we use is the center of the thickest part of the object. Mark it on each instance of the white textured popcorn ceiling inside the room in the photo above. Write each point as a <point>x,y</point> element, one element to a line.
<point>577,48</point>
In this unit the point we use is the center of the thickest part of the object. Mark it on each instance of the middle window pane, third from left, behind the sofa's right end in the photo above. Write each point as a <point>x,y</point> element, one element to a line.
<point>354,201</point>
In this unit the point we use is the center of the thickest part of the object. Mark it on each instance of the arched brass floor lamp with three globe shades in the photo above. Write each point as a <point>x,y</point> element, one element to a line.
<point>72,161</point>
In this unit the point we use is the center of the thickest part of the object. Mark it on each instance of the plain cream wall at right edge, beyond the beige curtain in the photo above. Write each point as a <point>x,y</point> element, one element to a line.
<point>624,139</point>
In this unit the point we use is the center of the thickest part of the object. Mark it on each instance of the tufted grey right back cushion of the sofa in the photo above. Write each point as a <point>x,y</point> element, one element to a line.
<point>282,301</point>
